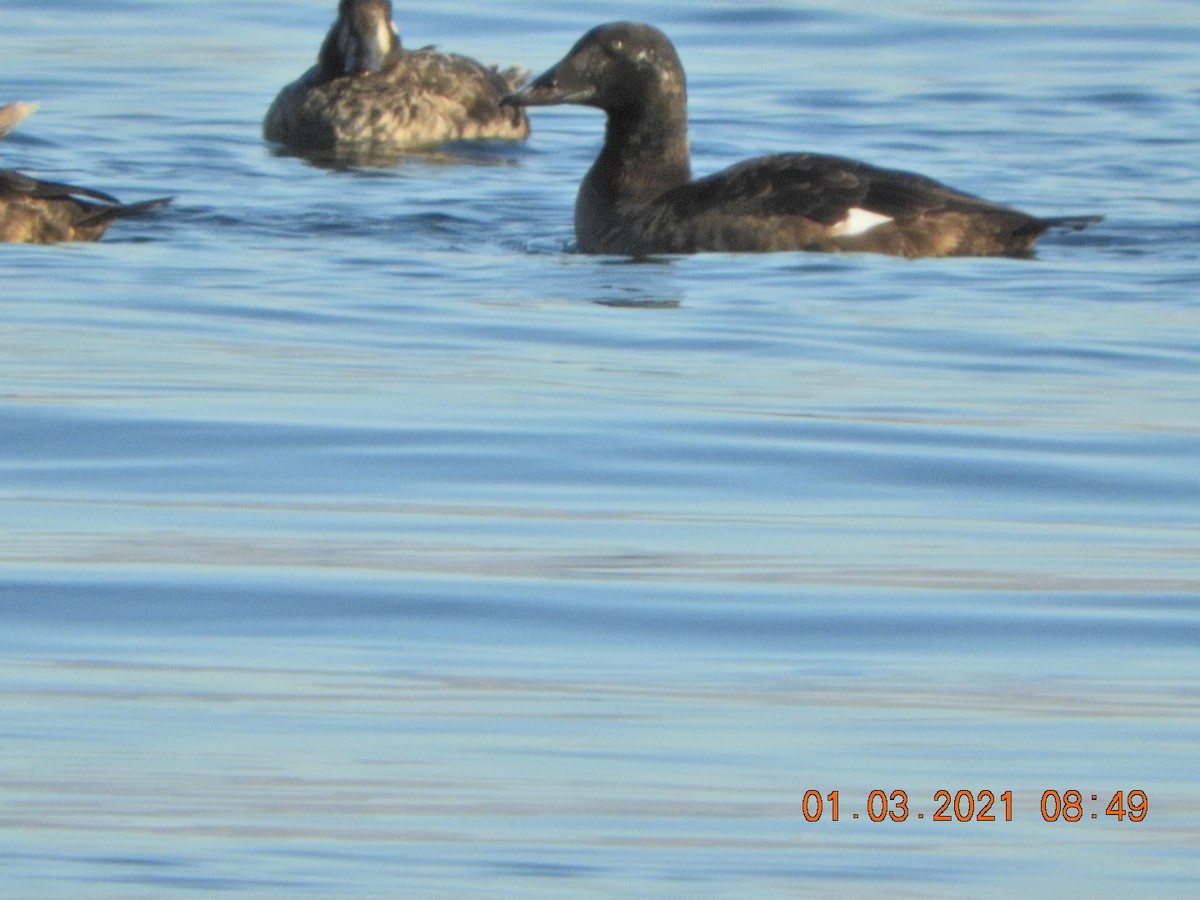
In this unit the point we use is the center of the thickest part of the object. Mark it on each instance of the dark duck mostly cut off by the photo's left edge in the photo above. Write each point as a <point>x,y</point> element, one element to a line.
<point>34,212</point>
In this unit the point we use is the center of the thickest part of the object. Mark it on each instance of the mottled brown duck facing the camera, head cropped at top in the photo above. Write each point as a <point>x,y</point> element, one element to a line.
<point>367,93</point>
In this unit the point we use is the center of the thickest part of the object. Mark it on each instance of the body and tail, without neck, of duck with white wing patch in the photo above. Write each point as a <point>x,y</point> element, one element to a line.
<point>808,202</point>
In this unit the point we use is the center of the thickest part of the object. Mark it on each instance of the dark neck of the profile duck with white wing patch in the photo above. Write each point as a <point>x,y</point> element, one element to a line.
<point>645,153</point>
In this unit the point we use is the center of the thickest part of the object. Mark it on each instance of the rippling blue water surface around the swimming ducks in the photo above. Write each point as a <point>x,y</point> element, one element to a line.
<point>359,539</point>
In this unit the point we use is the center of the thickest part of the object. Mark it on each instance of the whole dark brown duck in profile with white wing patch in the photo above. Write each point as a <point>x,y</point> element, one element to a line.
<point>639,199</point>
